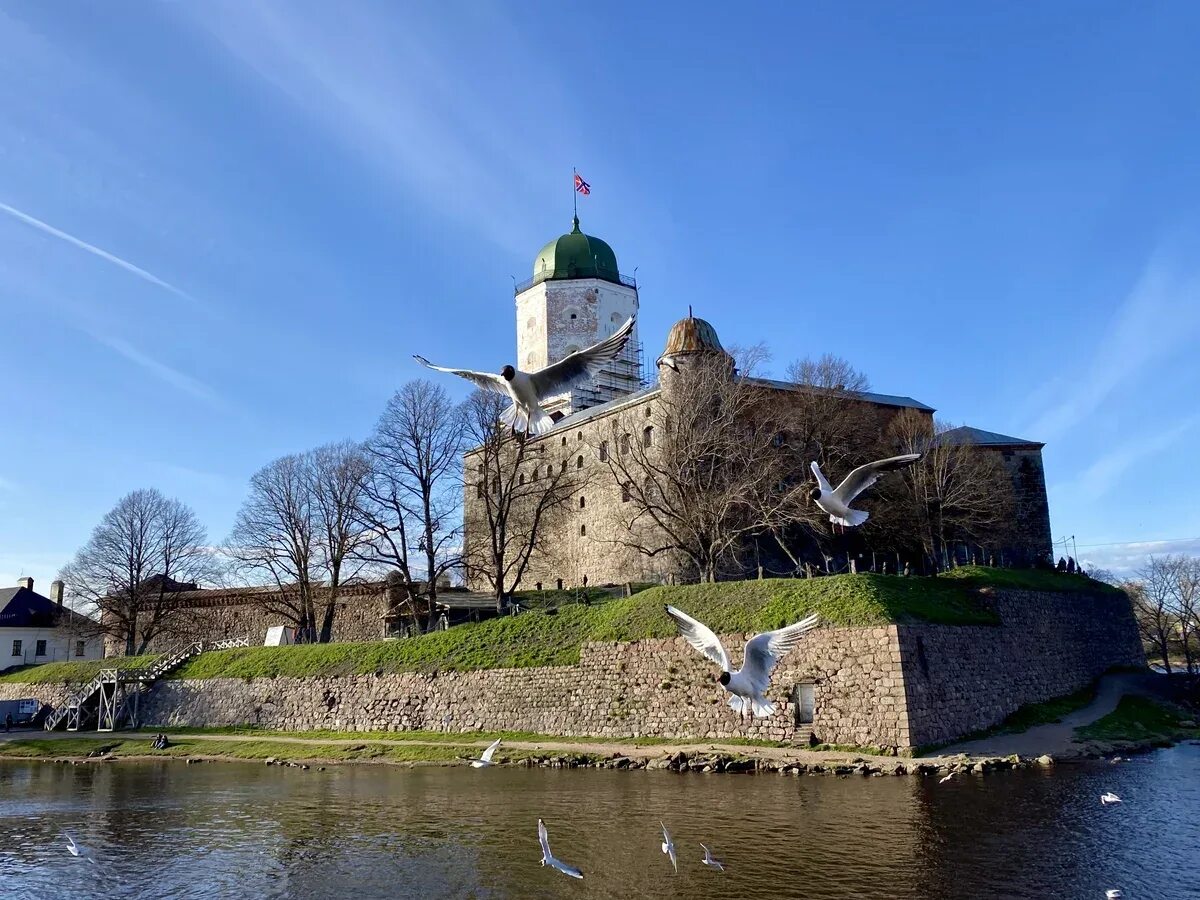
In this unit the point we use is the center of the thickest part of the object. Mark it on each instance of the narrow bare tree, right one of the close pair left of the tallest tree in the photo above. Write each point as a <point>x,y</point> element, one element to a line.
<point>338,476</point>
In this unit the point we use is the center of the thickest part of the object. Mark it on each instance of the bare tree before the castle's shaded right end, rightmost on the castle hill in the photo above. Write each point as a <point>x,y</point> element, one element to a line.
<point>957,493</point>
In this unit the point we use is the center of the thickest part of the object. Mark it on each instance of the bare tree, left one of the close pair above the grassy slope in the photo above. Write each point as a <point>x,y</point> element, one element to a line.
<point>275,542</point>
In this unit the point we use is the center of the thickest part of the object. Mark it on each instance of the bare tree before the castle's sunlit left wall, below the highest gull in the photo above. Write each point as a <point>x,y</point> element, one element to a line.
<point>520,491</point>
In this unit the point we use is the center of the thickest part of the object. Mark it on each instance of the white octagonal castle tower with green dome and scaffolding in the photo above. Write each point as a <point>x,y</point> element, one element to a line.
<point>575,298</point>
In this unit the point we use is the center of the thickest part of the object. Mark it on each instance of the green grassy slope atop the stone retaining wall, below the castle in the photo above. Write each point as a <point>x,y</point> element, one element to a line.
<point>545,639</point>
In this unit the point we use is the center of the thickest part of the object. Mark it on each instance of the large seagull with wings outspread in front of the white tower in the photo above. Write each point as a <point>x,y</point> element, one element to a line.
<point>530,389</point>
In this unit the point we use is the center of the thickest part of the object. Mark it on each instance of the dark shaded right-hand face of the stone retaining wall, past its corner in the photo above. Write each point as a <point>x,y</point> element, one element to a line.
<point>963,679</point>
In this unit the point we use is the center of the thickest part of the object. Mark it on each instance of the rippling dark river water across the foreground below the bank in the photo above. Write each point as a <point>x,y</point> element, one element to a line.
<point>239,831</point>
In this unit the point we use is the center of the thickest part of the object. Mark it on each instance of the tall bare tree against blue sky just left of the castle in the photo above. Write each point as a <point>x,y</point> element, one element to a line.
<point>412,503</point>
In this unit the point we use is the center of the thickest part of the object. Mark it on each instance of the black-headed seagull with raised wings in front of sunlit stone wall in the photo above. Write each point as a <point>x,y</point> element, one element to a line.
<point>748,685</point>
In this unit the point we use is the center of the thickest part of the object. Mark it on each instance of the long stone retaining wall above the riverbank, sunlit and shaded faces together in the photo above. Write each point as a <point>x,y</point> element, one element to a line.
<point>897,687</point>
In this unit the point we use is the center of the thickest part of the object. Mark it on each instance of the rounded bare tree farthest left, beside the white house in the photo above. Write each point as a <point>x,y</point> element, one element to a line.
<point>139,555</point>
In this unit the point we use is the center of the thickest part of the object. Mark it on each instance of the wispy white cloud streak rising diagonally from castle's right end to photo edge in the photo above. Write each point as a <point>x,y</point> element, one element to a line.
<point>1160,319</point>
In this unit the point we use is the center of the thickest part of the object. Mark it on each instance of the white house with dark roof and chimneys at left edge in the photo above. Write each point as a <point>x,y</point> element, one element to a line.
<point>39,629</point>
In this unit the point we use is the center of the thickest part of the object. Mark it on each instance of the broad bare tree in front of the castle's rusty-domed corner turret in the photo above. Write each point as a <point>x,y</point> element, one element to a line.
<point>705,475</point>
